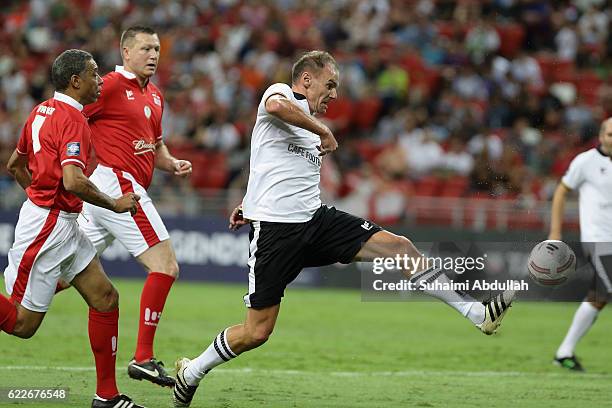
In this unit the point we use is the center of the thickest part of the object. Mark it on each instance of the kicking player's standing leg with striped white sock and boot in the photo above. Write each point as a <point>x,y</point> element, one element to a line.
<point>227,345</point>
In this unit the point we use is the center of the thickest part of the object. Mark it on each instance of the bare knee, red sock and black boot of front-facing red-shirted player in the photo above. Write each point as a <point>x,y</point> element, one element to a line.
<point>160,263</point>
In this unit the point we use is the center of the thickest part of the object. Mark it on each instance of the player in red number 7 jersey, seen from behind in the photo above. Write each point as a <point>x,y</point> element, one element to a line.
<point>48,163</point>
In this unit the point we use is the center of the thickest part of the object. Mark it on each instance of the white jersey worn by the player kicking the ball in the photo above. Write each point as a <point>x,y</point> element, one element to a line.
<point>285,166</point>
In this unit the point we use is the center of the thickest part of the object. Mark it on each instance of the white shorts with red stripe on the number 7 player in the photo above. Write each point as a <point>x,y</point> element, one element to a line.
<point>48,246</point>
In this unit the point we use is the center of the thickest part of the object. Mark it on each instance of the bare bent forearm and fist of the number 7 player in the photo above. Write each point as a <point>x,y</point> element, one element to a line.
<point>78,184</point>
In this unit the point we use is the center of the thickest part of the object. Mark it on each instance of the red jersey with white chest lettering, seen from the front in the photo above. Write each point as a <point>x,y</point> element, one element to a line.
<point>126,125</point>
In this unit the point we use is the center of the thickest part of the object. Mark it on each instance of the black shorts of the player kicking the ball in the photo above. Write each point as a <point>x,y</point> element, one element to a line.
<point>279,251</point>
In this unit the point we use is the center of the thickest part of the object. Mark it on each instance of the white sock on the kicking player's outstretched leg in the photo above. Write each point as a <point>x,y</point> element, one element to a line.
<point>462,302</point>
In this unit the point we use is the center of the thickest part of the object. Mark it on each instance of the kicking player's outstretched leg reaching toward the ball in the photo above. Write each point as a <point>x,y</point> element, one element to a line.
<point>486,316</point>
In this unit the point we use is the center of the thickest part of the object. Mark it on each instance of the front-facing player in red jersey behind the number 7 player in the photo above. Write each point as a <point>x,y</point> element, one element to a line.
<point>127,138</point>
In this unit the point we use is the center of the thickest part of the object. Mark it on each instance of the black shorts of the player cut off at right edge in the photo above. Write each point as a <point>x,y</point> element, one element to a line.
<point>599,255</point>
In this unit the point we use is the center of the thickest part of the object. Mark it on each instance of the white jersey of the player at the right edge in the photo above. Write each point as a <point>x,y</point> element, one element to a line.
<point>591,174</point>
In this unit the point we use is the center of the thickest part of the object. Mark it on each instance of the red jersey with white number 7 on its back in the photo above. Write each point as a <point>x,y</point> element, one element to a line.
<point>56,134</point>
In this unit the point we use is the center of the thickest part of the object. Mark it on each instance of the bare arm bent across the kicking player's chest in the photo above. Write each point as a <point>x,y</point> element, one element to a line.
<point>287,111</point>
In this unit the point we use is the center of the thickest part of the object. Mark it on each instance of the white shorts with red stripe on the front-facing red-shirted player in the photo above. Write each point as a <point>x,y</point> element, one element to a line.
<point>102,226</point>
